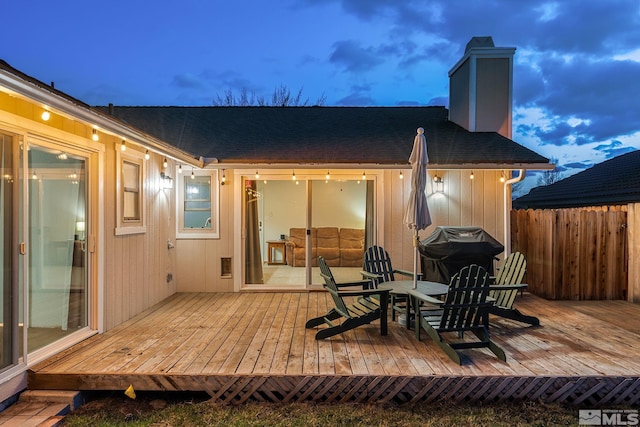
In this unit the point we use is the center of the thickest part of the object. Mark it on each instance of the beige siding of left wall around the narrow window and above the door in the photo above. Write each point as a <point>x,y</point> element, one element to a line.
<point>135,266</point>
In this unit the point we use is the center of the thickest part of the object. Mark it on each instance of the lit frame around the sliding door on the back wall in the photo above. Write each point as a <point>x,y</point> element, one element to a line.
<point>307,175</point>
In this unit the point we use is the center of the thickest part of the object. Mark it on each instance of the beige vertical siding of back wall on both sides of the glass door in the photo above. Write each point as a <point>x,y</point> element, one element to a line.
<point>465,202</point>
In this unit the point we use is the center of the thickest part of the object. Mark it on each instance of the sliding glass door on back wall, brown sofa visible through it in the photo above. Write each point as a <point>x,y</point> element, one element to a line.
<point>289,222</point>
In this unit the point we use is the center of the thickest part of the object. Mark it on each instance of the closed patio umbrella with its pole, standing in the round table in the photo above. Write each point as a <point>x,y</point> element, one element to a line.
<point>417,216</point>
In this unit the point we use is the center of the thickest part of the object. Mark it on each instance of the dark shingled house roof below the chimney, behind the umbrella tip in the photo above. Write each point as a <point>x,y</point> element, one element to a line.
<point>323,135</point>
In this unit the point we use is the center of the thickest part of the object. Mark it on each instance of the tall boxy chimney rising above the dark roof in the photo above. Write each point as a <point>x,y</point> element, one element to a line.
<point>480,88</point>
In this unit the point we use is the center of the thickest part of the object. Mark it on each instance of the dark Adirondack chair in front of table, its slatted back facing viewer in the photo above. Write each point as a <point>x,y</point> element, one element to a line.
<point>464,308</point>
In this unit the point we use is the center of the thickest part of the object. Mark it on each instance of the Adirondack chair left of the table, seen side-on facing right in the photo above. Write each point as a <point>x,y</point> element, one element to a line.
<point>363,310</point>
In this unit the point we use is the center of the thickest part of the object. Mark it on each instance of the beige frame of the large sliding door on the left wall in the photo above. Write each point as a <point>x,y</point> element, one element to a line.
<point>26,132</point>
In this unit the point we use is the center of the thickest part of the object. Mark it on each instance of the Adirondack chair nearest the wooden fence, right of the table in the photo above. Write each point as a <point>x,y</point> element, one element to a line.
<point>506,285</point>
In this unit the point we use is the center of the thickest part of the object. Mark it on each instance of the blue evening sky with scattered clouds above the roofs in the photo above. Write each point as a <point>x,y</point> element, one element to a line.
<point>576,73</point>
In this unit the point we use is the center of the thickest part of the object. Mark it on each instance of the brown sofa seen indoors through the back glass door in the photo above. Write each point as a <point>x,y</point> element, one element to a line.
<point>340,247</point>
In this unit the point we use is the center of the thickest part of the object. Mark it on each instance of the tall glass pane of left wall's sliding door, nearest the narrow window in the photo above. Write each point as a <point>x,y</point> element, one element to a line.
<point>57,224</point>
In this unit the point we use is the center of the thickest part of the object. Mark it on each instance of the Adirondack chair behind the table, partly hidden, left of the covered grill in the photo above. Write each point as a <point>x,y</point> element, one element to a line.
<point>377,267</point>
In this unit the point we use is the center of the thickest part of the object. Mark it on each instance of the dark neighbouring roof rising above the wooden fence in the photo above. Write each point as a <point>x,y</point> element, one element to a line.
<point>613,182</point>
